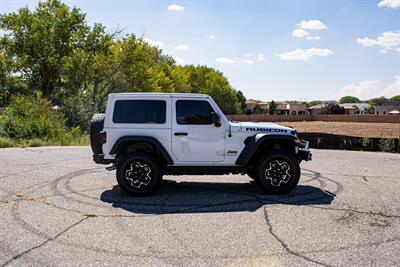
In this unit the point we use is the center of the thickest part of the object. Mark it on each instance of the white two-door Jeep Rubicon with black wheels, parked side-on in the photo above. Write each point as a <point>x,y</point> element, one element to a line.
<point>147,135</point>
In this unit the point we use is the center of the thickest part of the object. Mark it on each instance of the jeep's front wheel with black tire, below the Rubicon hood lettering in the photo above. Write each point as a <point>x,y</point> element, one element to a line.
<point>277,172</point>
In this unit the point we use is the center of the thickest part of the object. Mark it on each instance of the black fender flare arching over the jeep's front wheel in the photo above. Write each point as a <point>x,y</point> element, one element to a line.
<point>257,140</point>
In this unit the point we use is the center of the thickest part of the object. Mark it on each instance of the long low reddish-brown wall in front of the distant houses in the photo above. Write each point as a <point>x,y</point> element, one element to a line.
<point>338,118</point>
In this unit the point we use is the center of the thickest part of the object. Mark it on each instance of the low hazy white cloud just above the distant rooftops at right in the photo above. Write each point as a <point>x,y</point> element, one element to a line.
<point>365,89</point>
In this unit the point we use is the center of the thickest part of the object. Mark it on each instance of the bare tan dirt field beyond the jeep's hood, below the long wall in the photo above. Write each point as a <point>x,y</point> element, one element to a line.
<point>363,129</point>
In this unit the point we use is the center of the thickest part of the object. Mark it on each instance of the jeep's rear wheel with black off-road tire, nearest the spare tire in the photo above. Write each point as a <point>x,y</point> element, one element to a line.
<point>139,173</point>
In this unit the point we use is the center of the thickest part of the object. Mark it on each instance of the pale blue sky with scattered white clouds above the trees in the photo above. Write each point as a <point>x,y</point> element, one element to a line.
<point>270,50</point>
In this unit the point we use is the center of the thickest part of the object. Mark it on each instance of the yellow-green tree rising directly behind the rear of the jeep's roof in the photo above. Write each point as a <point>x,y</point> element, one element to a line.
<point>132,65</point>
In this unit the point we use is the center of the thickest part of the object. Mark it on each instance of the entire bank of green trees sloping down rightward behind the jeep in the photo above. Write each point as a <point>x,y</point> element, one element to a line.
<point>53,50</point>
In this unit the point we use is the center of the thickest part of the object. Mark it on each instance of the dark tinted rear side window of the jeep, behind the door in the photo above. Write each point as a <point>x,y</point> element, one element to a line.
<point>139,111</point>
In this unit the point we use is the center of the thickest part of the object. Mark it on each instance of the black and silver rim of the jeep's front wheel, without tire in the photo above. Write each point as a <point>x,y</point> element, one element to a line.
<point>278,171</point>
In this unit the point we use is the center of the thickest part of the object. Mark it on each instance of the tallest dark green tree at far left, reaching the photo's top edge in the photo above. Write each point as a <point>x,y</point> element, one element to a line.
<point>41,43</point>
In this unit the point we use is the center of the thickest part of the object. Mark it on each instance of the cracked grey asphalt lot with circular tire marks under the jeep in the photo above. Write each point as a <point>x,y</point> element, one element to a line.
<point>58,208</point>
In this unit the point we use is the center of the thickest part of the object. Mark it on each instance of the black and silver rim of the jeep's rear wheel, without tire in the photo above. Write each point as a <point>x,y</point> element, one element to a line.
<point>137,174</point>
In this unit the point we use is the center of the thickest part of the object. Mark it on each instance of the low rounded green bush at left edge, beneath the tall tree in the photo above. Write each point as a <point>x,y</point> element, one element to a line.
<point>28,118</point>
